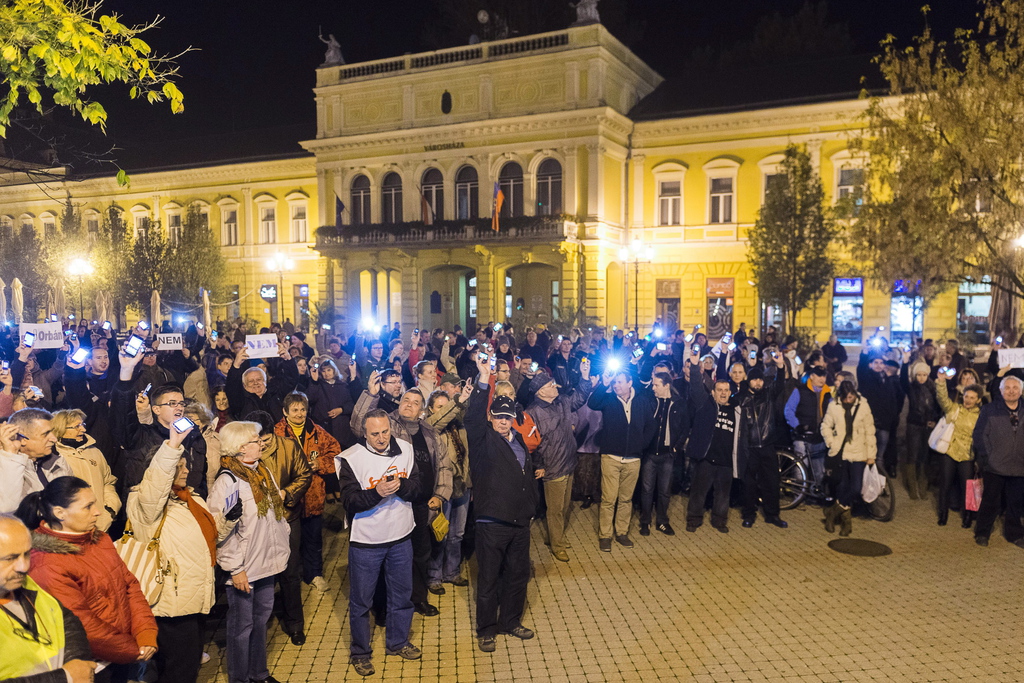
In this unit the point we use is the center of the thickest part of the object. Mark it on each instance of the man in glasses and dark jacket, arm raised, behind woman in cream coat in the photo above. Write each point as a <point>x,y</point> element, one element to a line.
<point>141,442</point>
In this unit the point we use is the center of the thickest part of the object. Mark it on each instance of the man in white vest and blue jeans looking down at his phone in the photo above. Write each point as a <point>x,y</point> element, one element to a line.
<point>379,480</point>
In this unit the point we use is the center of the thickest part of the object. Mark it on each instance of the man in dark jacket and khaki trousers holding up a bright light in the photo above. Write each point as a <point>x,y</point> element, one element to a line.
<point>628,428</point>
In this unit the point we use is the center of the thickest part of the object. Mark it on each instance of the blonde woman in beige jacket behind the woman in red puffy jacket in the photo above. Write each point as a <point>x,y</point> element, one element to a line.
<point>88,462</point>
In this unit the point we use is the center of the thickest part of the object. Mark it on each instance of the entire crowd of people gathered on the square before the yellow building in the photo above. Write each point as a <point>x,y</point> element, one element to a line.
<point>141,484</point>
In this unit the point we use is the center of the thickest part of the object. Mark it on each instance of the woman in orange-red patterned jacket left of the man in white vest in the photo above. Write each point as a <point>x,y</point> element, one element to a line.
<point>319,449</point>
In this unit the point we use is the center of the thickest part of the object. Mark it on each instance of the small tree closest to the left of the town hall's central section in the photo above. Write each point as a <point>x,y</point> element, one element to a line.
<point>194,263</point>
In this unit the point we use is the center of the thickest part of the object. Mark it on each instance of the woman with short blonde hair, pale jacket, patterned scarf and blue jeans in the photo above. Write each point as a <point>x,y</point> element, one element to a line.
<point>247,500</point>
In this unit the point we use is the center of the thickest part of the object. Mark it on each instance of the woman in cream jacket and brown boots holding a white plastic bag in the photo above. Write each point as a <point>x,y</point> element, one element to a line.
<point>849,432</point>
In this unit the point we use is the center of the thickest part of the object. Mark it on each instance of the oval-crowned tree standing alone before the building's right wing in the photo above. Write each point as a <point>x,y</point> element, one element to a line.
<point>792,245</point>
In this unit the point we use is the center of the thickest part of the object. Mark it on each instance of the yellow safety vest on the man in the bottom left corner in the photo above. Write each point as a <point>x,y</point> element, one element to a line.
<point>25,657</point>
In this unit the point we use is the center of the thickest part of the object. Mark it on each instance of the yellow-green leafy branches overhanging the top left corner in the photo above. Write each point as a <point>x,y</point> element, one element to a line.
<point>54,51</point>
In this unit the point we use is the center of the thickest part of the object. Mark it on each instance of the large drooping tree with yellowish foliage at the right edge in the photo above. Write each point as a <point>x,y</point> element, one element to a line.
<point>944,198</point>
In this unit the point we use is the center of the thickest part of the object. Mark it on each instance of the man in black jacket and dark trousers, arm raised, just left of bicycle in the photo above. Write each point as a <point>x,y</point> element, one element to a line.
<point>758,405</point>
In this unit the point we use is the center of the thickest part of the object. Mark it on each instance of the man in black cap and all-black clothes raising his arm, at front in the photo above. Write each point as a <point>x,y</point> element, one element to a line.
<point>505,494</point>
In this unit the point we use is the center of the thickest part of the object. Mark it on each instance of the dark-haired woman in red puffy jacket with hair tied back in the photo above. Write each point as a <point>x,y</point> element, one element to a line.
<point>79,566</point>
